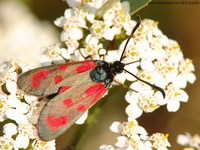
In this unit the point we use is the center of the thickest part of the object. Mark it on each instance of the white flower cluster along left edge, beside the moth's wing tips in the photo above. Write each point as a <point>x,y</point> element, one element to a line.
<point>18,113</point>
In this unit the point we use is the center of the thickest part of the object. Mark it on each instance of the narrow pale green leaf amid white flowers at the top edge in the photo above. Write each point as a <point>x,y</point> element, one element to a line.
<point>106,6</point>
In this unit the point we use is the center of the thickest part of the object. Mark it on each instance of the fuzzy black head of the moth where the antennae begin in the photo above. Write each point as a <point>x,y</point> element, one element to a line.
<point>117,67</point>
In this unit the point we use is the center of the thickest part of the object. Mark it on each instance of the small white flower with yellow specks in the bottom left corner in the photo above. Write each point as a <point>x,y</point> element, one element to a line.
<point>6,143</point>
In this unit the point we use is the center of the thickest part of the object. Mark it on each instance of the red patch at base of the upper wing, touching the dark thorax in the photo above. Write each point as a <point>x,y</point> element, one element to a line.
<point>86,66</point>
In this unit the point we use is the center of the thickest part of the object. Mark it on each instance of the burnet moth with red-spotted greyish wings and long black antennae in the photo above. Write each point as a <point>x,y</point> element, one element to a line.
<point>71,88</point>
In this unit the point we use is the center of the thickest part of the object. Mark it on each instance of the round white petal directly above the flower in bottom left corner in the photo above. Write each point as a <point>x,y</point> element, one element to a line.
<point>9,129</point>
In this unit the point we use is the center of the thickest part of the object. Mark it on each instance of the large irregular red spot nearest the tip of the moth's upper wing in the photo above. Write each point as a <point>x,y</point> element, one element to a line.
<point>37,77</point>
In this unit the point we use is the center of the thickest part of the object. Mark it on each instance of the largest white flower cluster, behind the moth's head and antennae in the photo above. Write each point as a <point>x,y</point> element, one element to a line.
<point>159,60</point>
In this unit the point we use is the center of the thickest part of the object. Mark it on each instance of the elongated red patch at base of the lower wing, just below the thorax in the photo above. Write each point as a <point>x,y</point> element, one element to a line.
<point>94,89</point>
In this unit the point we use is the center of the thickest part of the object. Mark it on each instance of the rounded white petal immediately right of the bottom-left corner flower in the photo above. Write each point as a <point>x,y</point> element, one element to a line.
<point>22,141</point>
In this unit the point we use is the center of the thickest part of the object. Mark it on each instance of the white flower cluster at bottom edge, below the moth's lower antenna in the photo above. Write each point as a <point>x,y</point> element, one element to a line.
<point>135,137</point>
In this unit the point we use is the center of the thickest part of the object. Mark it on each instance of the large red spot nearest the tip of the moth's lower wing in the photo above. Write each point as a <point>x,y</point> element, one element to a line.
<point>55,123</point>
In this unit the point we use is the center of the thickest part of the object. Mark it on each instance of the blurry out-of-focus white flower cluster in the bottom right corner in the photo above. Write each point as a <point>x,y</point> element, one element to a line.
<point>188,141</point>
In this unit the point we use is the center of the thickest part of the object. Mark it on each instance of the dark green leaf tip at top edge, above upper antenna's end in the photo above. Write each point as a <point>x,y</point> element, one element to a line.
<point>136,5</point>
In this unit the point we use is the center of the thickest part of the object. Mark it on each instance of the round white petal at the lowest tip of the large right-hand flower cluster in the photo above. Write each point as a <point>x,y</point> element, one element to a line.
<point>133,111</point>
